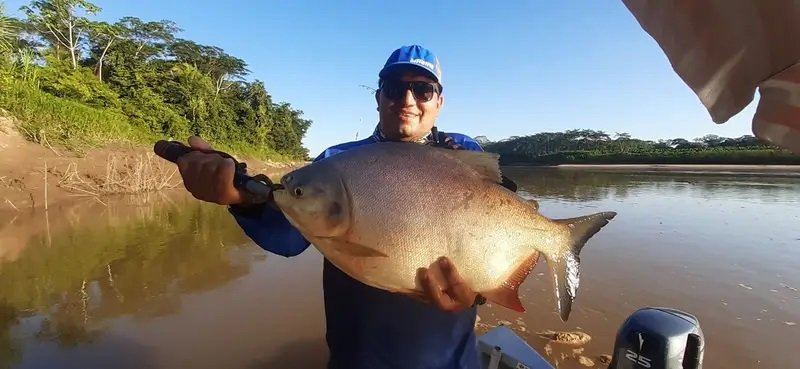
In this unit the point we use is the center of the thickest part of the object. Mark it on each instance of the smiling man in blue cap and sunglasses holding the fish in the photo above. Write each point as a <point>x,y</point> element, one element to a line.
<point>368,327</point>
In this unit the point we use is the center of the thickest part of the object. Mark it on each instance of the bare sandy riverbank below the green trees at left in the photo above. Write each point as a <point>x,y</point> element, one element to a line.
<point>33,175</point>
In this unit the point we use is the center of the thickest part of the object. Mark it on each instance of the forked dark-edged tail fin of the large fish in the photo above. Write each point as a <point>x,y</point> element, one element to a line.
<point>565,266</point>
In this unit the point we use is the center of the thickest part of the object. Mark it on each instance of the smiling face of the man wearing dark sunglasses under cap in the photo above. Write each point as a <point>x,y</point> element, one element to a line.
<point>407,118</point>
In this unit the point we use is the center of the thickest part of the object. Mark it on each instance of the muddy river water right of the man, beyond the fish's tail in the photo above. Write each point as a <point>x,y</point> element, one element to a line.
<point>720,246</point>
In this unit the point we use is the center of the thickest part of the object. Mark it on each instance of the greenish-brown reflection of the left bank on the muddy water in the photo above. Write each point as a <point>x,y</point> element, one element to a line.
<point>128,260</point>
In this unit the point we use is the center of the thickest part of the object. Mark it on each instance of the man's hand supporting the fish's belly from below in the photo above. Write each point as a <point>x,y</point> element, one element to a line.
<point>444,287</point>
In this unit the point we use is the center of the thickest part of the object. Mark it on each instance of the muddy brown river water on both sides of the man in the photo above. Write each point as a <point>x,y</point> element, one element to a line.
<point>166,282</point>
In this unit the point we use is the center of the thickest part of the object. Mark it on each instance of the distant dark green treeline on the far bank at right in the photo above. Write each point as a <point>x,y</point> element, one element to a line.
<point>585,146</point>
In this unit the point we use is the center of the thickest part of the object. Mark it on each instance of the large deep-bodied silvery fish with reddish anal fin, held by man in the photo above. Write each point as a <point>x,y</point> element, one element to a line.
<point>382,211</point>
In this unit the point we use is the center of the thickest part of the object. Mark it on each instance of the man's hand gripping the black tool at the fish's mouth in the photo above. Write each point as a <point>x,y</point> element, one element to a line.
<point>209,176</point>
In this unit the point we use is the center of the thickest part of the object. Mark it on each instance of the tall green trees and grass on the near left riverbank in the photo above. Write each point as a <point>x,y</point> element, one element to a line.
<point>78,81</point>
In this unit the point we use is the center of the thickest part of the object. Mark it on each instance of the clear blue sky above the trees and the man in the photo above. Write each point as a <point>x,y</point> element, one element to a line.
<point>516,69</point>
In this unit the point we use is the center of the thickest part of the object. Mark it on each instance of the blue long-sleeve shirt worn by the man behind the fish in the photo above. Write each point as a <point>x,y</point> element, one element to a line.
<point>371,328</point>
